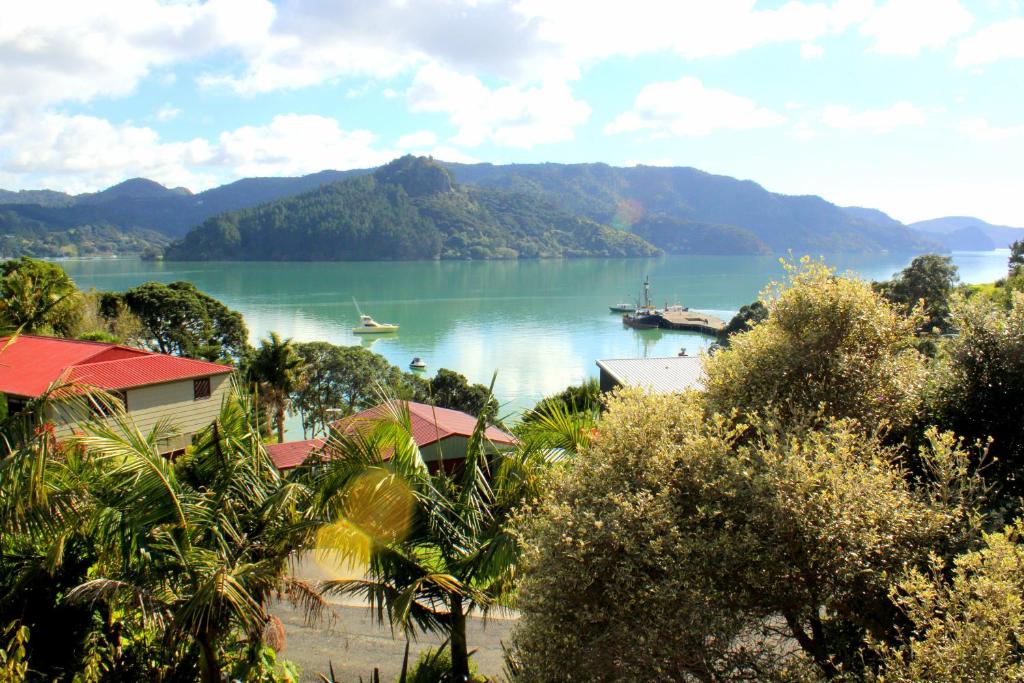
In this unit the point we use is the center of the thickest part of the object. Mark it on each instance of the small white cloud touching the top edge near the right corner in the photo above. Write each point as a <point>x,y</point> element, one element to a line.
<point>907,27</point>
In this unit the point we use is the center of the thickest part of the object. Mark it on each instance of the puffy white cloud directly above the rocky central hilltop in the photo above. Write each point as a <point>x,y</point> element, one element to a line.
<point>510,116</point>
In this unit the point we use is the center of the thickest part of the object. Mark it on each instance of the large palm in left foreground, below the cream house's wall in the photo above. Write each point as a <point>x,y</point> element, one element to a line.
<point>197,547</point>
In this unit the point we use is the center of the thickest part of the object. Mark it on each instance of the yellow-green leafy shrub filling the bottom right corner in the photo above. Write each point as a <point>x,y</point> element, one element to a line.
<point>968,628</point>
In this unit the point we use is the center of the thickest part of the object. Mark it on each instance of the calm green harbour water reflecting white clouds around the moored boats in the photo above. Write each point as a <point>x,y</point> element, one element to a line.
<point>540,325</point>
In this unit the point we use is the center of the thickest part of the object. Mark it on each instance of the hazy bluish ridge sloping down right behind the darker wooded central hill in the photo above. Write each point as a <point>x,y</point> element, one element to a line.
<point>690,211</point>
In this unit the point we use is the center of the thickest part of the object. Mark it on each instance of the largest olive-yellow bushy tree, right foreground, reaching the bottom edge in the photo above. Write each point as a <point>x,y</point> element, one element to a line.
<point>682,547</point>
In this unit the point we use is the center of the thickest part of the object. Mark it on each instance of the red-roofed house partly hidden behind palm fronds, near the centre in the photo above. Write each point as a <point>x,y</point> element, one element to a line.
<point>442,435</point>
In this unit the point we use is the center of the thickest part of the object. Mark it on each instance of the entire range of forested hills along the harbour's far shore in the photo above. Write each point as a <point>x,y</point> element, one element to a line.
<point>525,210</point>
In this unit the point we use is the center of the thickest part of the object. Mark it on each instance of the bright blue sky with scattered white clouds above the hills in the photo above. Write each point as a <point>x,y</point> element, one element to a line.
<point>913,107</point>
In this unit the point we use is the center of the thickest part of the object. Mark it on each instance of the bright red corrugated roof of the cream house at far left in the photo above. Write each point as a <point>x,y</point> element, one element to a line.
<point>30,365</point>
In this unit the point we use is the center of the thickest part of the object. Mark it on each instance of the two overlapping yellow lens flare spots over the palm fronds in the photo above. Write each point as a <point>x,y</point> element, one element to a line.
<point>378,509</point>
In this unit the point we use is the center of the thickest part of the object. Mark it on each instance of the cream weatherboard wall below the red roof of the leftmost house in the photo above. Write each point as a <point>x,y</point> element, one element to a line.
<point>172,402</point>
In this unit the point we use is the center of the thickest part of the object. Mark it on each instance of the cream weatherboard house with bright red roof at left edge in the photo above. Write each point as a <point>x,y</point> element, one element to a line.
<point>153,388</point>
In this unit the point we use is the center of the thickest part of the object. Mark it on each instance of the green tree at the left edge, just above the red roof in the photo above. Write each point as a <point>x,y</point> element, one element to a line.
<point>37,297</point>
